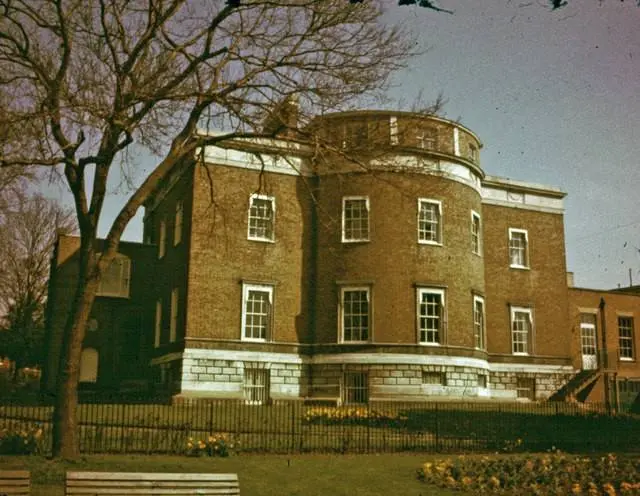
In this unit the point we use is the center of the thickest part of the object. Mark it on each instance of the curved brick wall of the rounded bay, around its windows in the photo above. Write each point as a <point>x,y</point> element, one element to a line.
<point>393,263</point>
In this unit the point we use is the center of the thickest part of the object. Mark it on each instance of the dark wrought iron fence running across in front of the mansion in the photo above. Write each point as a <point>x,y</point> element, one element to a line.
<point>112,425</point>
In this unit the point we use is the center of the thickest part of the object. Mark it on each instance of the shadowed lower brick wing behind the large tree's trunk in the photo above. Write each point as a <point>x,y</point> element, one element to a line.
<point>116,353</point>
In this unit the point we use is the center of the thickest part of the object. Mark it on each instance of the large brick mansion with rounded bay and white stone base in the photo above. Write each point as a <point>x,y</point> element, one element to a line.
<point>388,266</point>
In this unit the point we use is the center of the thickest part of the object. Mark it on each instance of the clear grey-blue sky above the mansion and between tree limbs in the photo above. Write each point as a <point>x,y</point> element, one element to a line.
<point>555,98</point>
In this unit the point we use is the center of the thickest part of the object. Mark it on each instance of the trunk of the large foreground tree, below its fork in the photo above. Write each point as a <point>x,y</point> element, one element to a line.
<point>65,423</point>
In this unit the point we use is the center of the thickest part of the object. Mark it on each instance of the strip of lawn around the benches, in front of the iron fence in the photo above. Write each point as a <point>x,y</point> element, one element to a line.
<point>260,475</point>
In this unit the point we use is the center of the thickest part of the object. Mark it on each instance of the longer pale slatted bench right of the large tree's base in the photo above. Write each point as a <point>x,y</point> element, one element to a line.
<point>128,483</point>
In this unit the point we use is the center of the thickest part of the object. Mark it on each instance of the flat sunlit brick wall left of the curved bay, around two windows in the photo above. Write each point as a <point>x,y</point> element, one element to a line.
<point>221,256</point>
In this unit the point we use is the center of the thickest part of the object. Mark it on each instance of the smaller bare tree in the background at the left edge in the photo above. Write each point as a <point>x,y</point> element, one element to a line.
<point>28,230</point>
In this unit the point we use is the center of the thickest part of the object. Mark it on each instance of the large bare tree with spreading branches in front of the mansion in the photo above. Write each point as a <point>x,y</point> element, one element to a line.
<point>82,80</point>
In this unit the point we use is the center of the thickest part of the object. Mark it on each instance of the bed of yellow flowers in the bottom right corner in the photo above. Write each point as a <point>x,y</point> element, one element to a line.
<point>547,474</point>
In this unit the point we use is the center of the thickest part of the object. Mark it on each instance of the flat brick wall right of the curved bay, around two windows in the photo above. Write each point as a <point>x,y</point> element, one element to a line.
<point>542,286</point>
